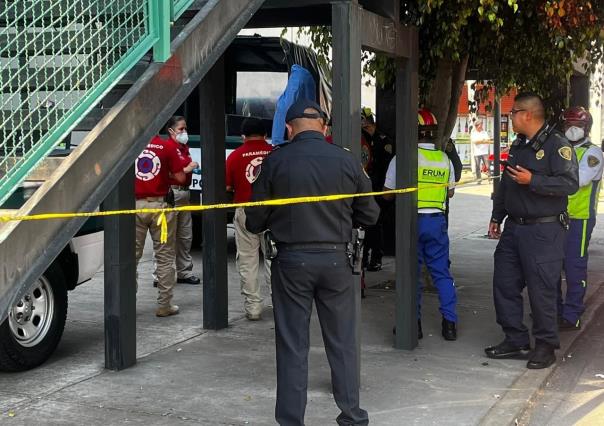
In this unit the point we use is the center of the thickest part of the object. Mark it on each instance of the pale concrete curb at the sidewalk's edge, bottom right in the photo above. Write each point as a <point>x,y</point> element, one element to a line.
<point>520,396</point>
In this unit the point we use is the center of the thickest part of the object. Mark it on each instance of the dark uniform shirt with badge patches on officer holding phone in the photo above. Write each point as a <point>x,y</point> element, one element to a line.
<point>555,176</point>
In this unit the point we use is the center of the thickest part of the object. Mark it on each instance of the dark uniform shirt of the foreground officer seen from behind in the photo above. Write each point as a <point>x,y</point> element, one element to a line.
<point>308,166</point>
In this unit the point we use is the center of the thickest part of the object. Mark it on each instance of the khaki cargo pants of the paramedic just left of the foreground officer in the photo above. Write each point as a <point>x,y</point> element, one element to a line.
<point>248,259</point>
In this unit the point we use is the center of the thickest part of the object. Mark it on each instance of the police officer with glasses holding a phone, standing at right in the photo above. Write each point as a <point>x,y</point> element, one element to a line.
<point>541,173</point>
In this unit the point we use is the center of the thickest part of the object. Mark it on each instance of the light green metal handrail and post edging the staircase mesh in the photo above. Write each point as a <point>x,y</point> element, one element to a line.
<point>160,14</point>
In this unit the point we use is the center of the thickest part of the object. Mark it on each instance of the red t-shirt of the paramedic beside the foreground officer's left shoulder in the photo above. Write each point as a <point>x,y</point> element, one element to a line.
<point>243,167</point>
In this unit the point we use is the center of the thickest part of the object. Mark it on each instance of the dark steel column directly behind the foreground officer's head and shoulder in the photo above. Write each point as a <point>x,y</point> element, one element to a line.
<point>346,108</point>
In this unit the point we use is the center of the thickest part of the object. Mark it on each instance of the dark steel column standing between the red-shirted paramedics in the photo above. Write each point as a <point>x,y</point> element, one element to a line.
<point>215,279</point>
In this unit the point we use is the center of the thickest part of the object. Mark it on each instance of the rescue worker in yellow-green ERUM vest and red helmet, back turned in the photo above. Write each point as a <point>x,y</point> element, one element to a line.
<point>434,168</point>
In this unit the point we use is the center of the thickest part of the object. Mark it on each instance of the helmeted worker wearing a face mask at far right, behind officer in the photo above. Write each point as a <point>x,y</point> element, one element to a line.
<point>582,208</point>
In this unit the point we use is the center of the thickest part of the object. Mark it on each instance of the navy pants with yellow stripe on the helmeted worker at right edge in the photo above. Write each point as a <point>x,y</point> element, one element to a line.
<point>572,307</point>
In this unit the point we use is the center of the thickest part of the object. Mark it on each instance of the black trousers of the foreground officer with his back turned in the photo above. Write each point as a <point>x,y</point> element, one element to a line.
<point>298,278</point>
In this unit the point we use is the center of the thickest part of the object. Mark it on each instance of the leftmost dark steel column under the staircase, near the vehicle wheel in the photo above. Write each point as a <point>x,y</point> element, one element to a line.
<point>120,277</point>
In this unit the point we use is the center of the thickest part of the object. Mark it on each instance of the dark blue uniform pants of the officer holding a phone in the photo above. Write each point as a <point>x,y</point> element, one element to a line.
<point>531,256</point>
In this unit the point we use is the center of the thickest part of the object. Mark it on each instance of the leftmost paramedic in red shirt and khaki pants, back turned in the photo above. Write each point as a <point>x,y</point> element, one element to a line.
<point>155,167</point>
